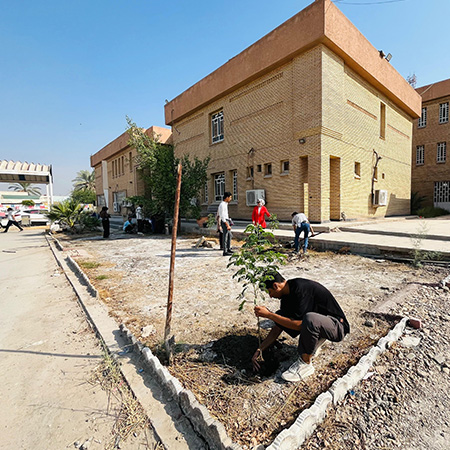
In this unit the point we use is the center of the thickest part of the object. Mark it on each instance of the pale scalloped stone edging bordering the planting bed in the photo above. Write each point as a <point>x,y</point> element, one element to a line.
<point>211,429</point>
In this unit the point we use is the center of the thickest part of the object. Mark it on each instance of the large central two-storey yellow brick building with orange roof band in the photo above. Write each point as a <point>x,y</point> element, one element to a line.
<point>302,117</point>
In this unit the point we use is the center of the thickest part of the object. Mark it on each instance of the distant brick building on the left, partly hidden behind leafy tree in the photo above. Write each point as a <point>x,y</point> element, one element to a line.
<point>116,177</point>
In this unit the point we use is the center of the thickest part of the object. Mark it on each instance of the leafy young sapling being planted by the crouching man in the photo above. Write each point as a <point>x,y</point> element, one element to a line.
<point>256,260</point>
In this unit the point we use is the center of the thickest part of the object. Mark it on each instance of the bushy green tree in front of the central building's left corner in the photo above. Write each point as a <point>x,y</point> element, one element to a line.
<point>158,169</point>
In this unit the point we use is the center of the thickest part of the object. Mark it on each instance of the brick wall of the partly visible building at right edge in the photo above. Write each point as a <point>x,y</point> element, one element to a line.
<point>424,176</point>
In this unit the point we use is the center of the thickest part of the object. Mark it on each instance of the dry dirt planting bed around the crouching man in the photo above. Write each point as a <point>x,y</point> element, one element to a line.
<point>215,340</point>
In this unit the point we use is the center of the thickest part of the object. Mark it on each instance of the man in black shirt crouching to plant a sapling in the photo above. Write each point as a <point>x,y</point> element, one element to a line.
<point>307,310</point>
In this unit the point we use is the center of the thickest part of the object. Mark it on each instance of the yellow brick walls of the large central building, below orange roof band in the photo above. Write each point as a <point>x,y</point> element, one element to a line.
<point>314,98</point>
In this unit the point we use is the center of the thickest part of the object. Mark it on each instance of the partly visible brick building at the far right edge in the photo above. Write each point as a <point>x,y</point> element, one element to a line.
<point>431,136</point>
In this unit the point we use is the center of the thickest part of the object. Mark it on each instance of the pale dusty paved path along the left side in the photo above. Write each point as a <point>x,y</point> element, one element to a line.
<point>53,381</point>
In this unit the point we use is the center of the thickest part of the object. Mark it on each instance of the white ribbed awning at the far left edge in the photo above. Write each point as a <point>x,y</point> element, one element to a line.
<point>18,172</point>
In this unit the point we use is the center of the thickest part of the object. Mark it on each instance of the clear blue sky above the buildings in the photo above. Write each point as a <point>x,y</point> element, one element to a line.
<point>70,71</point>
